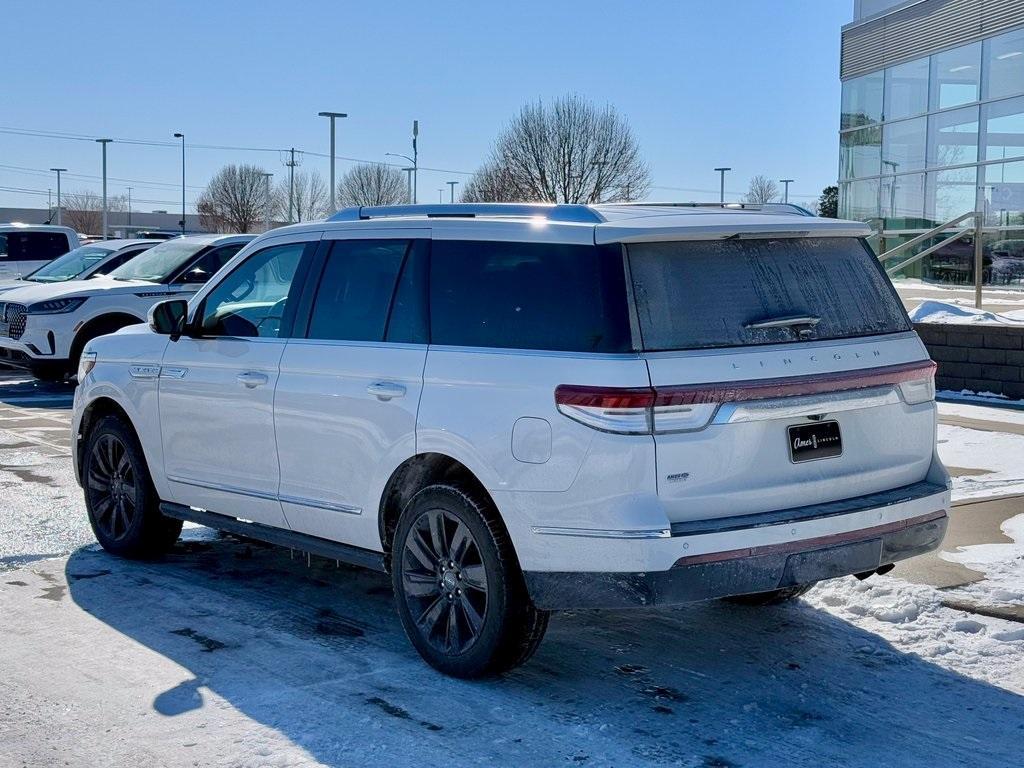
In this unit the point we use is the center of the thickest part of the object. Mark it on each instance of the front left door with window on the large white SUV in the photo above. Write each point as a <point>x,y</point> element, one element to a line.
<point>218,387</point>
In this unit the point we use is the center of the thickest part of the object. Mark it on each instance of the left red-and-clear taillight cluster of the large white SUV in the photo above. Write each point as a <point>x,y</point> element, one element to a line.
<point>633,411</point>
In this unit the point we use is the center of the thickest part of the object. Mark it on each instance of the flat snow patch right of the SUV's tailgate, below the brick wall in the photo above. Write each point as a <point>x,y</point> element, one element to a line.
<point>998,459</point>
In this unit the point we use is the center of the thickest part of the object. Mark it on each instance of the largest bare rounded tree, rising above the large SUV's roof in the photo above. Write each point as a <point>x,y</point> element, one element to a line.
<point>570,151</point>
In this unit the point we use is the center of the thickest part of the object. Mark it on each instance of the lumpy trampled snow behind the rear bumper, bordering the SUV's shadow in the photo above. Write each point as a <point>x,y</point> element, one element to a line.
<point>913,619</point>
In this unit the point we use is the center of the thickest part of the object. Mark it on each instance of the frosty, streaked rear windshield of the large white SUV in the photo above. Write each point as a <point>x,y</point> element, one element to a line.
<point>702,294</point>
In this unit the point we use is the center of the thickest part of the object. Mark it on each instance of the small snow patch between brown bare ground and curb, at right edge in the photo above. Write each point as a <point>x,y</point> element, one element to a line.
<point>1003,566</point>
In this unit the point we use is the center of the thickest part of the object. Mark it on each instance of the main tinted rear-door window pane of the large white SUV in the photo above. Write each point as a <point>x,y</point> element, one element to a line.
<point>356,290</point>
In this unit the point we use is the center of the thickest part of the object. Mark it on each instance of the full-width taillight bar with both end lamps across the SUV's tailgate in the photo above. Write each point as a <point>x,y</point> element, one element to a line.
<point>690,408</point>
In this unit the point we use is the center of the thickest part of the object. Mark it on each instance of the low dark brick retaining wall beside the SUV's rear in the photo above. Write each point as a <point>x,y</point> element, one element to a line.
<point>979,358</point>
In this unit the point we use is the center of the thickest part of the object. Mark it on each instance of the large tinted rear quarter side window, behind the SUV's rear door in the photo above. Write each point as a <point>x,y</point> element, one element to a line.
<point>529,296</point>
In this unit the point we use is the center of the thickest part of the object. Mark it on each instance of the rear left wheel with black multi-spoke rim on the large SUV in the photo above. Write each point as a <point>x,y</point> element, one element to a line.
<point>468,614</point>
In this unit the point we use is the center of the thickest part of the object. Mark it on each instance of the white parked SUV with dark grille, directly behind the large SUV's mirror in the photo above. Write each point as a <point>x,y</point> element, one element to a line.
<point>45,327</point>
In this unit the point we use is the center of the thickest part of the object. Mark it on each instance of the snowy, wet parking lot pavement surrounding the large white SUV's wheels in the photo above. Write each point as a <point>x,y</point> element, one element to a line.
<point>230,653</point>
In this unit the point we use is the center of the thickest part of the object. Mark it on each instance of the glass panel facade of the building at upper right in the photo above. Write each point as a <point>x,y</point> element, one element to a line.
<point>927,141</point>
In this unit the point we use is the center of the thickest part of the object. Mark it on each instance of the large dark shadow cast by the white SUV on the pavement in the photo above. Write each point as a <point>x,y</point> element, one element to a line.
<point>318,655</point>
